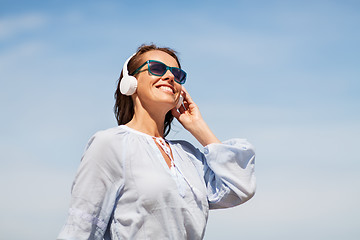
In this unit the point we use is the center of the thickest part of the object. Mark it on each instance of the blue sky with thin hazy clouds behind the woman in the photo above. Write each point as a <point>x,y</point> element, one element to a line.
<point>283,74</point>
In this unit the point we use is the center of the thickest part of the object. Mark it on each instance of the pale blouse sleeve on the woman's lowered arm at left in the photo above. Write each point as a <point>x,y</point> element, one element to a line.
<point>94,191</point>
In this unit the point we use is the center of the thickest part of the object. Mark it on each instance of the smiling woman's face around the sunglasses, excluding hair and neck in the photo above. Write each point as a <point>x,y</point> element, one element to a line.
<point>158,90</point>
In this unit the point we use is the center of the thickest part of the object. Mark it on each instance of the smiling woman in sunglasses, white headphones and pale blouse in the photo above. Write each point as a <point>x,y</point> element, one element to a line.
<point>134,184</point>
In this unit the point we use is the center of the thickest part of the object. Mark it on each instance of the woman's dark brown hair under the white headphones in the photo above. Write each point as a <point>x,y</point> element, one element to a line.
<point>124,106</point>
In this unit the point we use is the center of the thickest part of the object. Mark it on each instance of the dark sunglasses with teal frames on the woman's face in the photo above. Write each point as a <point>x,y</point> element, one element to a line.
<point>157,68</point>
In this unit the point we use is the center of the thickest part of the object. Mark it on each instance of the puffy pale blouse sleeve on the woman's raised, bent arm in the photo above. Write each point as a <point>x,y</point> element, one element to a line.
<point>229,173</point>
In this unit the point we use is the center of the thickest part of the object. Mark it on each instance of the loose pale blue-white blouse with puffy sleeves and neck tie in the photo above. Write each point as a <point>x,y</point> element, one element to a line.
<point>125,190</point>
